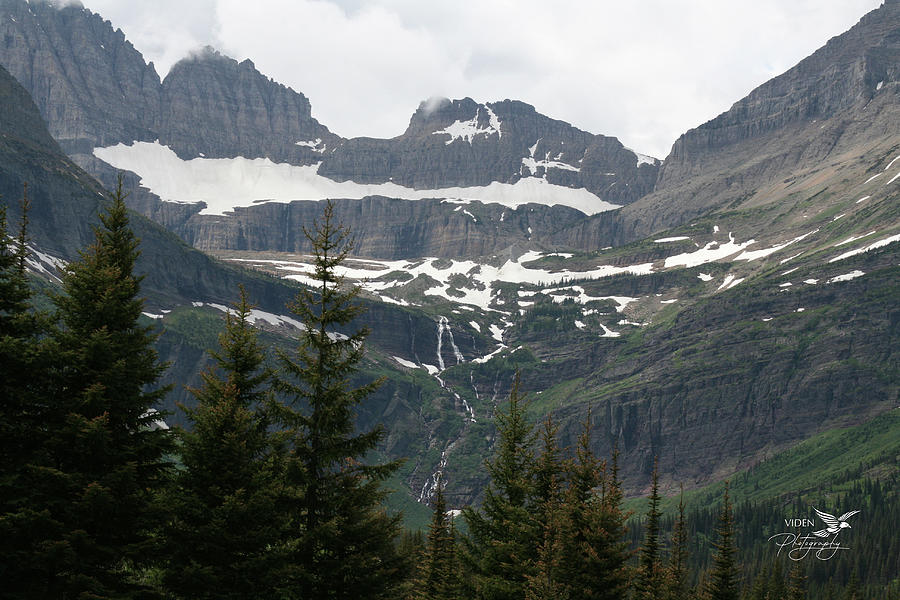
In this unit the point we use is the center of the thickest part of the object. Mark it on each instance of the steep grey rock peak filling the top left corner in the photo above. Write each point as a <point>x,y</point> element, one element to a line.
<point>89,83</point>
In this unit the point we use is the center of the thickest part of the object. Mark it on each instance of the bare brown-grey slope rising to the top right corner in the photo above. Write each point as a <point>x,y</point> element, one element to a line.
<point>840,106</point>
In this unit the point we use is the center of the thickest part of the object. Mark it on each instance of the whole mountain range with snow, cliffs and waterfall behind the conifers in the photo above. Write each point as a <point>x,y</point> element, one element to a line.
<point>742,299</point>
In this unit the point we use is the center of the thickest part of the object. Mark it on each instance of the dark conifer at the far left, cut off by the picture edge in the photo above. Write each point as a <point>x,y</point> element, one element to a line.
<point>27,485</point>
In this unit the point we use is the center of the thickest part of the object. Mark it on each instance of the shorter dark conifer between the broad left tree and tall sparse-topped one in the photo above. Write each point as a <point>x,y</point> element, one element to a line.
<point>224,528</point>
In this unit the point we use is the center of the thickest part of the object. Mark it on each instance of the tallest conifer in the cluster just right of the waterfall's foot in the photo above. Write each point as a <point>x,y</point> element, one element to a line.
<point>500,549</point>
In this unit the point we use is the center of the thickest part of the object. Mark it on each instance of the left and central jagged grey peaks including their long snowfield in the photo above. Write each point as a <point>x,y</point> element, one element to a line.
<point>96,92</point>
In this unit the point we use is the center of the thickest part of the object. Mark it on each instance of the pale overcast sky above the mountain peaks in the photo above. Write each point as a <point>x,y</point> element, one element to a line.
<point>644,71</point>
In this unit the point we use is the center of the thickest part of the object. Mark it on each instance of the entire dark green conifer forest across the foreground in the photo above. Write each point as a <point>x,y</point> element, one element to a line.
<point>270,491</point>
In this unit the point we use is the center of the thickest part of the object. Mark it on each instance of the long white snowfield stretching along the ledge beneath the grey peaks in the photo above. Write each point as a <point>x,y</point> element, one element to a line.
<point>228,183</point>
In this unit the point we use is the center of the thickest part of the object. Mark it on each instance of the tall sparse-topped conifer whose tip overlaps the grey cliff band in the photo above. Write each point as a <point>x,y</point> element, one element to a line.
<point>345,543</point>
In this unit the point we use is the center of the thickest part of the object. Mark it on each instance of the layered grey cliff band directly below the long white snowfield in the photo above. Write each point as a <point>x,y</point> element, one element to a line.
<point>384,228</point>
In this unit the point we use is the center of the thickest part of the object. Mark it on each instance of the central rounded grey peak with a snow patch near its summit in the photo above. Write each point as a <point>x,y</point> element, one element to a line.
<point>464,143</point>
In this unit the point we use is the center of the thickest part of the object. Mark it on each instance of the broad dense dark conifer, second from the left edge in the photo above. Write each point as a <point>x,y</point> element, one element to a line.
<point>105,452</point>
